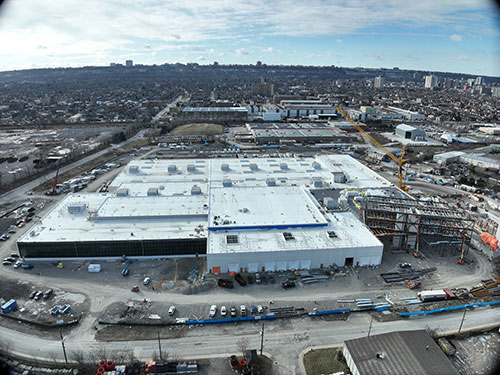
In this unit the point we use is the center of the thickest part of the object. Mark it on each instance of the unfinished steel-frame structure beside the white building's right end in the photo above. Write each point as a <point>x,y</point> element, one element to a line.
<point>419,225</point>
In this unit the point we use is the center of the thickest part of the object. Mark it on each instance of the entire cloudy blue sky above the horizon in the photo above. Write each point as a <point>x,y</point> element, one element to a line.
<point>461,36</point>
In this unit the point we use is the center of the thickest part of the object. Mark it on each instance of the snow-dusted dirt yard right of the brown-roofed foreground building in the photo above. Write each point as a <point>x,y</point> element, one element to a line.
<point>477,355</point>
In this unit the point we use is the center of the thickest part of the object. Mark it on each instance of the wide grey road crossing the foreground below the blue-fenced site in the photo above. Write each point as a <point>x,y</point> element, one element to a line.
<point>284,345</point>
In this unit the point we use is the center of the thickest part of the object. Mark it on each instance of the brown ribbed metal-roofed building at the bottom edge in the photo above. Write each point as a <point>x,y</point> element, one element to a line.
<point>397,353</point>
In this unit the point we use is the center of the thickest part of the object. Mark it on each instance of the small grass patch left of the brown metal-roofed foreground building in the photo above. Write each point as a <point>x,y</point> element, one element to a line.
<point>324,361</point>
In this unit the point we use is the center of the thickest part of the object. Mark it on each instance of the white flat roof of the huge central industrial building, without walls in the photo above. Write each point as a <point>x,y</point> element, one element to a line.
<point>247,205</point>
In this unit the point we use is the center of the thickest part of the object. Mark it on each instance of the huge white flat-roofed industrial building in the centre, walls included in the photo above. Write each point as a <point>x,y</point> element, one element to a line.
<point>241,214</point>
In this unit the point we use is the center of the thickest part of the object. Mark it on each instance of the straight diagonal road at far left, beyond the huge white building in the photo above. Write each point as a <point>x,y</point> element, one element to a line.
<point>23,189</point>
